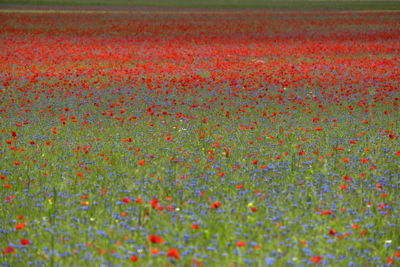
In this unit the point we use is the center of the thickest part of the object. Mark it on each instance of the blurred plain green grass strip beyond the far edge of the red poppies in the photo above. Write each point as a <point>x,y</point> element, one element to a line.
<point>268,4</point>
